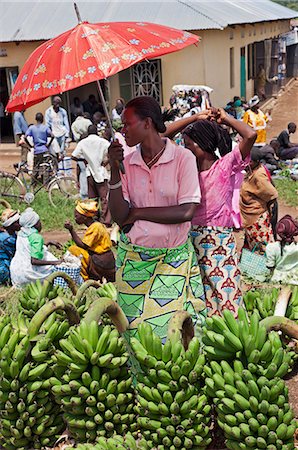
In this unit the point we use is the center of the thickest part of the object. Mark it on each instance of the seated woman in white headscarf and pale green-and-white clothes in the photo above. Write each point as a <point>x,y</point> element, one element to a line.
<point>32,261</point>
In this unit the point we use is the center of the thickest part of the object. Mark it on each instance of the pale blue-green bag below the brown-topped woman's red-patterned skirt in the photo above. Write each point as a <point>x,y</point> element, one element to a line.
<point>253,264</point>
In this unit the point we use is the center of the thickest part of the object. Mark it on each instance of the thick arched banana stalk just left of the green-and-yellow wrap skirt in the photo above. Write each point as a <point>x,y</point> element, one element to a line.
<point>106,305</point>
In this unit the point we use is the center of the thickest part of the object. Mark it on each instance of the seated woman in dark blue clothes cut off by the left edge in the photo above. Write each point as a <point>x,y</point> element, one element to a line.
<point>8,237</point>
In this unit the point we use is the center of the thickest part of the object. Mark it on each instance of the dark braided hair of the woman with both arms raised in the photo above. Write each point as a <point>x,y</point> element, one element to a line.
<point>209,136</point>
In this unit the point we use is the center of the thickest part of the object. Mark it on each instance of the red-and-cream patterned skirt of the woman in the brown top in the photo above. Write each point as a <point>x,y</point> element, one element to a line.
<point>259,234</point>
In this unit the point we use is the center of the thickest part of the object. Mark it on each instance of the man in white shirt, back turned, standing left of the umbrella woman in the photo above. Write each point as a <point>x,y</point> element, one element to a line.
<point>94,150</point>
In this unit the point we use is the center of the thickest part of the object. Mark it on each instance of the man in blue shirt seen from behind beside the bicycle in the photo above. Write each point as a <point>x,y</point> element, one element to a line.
<point>40,134</point>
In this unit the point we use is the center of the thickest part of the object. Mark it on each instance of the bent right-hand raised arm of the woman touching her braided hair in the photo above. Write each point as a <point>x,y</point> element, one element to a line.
<point>247,133</point>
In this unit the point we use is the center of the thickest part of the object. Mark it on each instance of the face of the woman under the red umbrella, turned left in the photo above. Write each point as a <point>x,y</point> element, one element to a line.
<point>134,129</point>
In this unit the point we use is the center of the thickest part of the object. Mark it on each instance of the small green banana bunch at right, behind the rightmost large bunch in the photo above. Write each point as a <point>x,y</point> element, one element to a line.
<point>262,301</point>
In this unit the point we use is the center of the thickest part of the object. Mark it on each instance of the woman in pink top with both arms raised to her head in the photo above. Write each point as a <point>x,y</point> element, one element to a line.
<point>212,224</point>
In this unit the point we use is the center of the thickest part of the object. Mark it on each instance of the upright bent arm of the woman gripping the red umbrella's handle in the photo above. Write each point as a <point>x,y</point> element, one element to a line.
<point>118,206</point>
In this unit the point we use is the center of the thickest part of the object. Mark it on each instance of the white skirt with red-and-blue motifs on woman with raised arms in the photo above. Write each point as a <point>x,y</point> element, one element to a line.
<point>218,261</point>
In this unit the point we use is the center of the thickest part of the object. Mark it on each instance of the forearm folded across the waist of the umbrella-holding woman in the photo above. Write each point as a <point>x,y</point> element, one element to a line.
<point>167,215</point>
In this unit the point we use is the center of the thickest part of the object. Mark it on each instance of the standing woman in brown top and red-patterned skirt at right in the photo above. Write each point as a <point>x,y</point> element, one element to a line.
<point>257,196</point>
